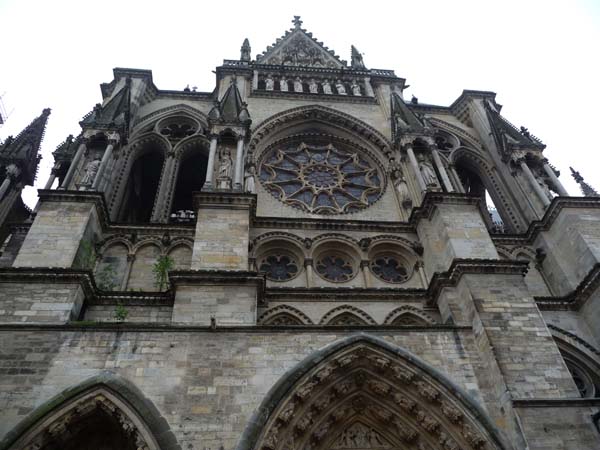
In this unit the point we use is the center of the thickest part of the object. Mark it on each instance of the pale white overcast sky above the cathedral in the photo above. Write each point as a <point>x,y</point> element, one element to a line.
<point>542,58</point>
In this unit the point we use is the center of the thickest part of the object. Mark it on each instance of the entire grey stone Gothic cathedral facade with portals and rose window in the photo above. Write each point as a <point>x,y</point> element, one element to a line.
<point>300,259</point>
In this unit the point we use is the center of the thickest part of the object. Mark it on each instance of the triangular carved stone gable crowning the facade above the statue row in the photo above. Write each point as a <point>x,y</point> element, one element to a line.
<point>298,48</point>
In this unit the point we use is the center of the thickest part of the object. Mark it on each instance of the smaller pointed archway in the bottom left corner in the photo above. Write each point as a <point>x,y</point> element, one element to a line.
<point>105,412</point>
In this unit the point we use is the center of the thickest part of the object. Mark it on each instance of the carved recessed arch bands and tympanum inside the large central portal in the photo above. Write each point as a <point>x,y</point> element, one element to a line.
<point>363,398</point>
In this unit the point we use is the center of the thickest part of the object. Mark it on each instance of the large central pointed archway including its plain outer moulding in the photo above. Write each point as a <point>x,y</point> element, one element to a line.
<point>364,393</point>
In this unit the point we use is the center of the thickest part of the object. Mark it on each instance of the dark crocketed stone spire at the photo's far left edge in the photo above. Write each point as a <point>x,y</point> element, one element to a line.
<point>23,150</point>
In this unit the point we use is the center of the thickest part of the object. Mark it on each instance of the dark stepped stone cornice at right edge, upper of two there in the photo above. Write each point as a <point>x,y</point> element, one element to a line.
<point>544,224</point>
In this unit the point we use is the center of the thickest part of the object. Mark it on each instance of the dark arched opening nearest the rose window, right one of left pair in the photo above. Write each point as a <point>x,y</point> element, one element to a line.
<point>191,177</point>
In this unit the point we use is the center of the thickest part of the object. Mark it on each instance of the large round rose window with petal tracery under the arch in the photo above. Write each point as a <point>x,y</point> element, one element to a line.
<point>321,179</point>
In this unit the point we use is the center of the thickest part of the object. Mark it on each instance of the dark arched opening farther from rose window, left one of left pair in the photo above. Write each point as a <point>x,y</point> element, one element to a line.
<point>142,187</point>
